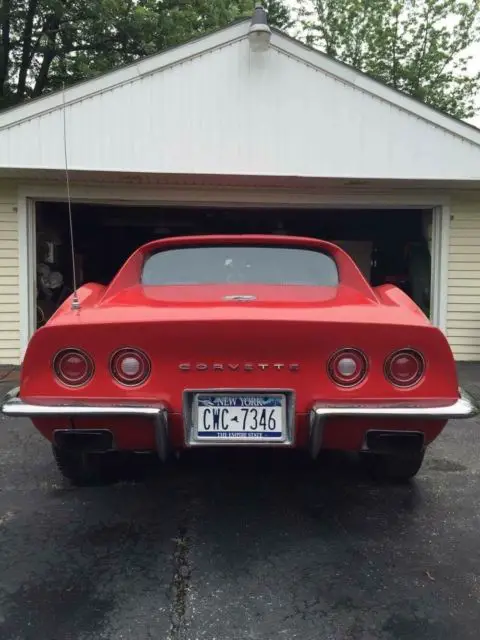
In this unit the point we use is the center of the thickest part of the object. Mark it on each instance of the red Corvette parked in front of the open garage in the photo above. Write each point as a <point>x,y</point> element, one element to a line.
<point>239,340</point>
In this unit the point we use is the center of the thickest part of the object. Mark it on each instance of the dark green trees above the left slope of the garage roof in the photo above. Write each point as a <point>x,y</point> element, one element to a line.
<point>46,43</point>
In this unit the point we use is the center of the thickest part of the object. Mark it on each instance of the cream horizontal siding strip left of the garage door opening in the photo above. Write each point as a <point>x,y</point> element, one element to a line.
<point>9,286</point>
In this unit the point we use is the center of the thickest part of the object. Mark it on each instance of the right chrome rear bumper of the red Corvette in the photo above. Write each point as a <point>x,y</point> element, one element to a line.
<point>464,407</point>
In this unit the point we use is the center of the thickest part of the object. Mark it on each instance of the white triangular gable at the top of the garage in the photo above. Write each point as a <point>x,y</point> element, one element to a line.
<point>214,107</point>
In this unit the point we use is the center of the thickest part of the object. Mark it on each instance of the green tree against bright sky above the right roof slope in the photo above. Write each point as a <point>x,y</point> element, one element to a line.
<point>422,47</point>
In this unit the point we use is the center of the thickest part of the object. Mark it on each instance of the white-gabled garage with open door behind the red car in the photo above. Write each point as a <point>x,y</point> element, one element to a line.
<point>215,136</point>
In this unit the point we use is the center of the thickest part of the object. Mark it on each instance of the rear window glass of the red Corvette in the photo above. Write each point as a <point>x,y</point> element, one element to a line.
<point>242,264</point>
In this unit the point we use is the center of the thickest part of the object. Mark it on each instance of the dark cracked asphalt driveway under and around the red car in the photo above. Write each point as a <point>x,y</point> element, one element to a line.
<point>242,547</point>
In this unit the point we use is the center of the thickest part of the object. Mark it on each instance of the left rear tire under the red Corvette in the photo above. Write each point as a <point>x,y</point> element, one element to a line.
<point>80,468</point>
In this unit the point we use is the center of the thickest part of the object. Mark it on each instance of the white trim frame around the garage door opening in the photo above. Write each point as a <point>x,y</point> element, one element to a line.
<point>26,211</point>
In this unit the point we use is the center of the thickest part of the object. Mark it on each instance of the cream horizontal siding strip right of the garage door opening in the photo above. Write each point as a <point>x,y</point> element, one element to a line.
<point>463,311</point>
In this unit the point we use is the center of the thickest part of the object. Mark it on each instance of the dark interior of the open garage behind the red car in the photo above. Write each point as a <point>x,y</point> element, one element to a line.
<point>389,246</point>
